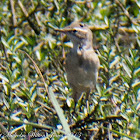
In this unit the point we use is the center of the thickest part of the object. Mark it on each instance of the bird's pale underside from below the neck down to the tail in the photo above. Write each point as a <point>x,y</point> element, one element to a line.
<point>82,72</point>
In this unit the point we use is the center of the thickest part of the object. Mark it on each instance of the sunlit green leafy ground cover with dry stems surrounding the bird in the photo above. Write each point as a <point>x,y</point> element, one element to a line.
<point>25,107</point>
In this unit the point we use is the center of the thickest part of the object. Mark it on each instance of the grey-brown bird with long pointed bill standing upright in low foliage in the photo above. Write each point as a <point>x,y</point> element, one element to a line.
<point>82,63</point>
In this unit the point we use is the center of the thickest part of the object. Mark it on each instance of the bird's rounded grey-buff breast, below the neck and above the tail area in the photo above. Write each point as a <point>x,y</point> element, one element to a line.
<point>81,69</point>
